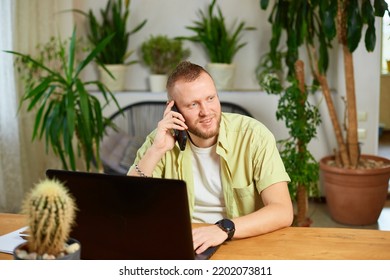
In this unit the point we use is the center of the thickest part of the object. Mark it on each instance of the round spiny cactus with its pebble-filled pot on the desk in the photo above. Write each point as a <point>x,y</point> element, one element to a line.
<point>51,213</point>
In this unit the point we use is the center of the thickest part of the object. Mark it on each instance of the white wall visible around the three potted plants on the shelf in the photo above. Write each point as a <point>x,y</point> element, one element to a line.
<point>169,17</point>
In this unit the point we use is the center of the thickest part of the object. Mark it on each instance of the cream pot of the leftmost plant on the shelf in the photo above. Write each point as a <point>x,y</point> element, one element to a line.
<point>118,71</point>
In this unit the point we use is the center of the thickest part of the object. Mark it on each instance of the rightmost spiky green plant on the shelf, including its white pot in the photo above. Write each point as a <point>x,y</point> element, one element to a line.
<point>220,44</point>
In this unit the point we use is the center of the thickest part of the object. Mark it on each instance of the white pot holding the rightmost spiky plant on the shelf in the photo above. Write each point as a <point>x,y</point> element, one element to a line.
<point>223,75</point>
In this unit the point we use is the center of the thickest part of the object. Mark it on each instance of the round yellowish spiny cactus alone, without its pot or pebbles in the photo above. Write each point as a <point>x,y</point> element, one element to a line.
<point>51,212</point>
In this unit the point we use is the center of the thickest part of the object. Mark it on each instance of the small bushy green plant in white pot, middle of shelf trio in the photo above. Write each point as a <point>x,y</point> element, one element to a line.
<point>161,54</point>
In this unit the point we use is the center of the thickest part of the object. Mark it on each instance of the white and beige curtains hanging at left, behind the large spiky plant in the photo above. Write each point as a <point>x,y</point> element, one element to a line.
<point>23,25</point>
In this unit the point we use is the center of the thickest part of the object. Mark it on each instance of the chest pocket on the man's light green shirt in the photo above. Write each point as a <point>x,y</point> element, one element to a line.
<point>247,199</point>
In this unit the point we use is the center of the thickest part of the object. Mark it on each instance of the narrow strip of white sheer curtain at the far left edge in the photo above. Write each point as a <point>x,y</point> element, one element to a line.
<point>11,189</point>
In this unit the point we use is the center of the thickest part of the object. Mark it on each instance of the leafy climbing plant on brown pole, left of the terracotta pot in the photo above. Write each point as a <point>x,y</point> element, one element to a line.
<point>301,119</point>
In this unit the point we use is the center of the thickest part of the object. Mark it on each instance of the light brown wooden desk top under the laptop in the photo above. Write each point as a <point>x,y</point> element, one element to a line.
<point>293,243</point>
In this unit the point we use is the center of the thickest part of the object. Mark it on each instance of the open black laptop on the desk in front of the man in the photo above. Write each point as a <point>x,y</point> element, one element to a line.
<point>125,217</point>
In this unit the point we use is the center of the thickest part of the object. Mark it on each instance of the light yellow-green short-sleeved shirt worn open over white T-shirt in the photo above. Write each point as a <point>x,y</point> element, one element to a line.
<point>250,162</point>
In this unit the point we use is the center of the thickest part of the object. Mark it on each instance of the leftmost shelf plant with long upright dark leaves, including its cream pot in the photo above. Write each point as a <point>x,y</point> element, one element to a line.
<point>113,59</point>
